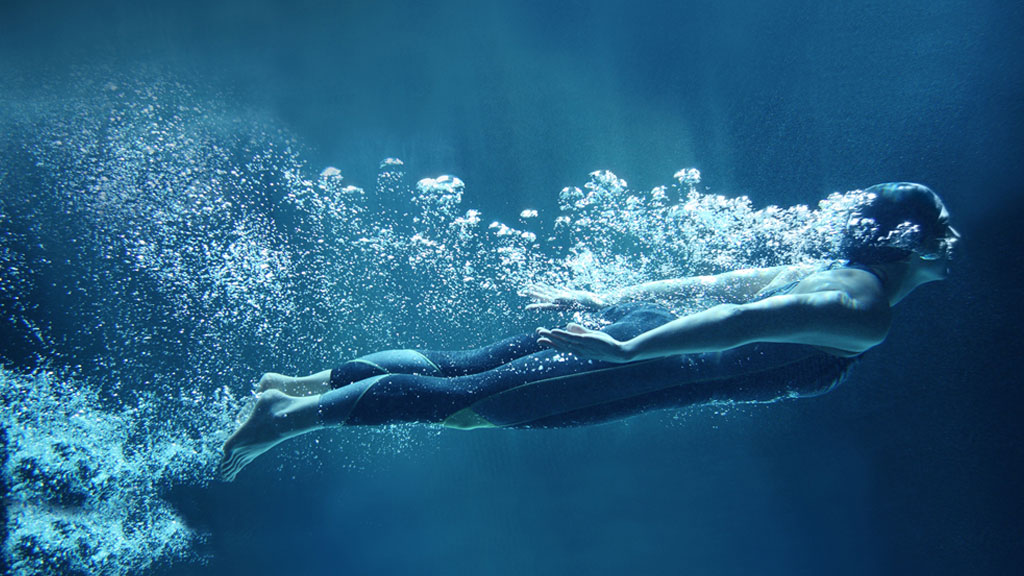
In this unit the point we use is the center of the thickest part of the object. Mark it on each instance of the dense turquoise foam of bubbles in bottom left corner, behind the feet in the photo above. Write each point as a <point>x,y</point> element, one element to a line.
<point>87,484</point>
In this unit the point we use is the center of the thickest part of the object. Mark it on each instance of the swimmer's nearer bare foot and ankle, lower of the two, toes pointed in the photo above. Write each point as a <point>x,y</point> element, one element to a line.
<point>276,419</point>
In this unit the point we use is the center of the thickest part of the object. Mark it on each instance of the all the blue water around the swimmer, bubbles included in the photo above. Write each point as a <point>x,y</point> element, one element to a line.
<point>165,188</point>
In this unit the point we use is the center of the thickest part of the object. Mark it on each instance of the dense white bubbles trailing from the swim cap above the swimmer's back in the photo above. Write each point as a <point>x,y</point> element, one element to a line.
<point>609,236</point>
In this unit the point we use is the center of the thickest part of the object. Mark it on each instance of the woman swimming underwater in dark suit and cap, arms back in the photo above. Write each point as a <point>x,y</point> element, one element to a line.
<point>785,332</point>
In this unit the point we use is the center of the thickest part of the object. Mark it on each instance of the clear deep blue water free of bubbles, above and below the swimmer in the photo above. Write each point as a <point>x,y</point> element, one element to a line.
<point>914,468</point>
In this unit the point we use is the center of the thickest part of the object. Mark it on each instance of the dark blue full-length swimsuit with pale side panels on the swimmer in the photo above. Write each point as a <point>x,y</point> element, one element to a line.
<point>518,384</point>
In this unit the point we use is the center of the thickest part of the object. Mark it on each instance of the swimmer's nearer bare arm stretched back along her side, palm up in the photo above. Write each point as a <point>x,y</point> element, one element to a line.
<point>830,319</point>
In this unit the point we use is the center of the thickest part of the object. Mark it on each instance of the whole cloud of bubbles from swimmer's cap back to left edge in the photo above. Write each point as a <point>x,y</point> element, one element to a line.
<point>157,251</point>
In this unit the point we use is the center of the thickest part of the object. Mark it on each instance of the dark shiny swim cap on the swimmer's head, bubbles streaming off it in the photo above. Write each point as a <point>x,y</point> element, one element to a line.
<point>894,221</point>
